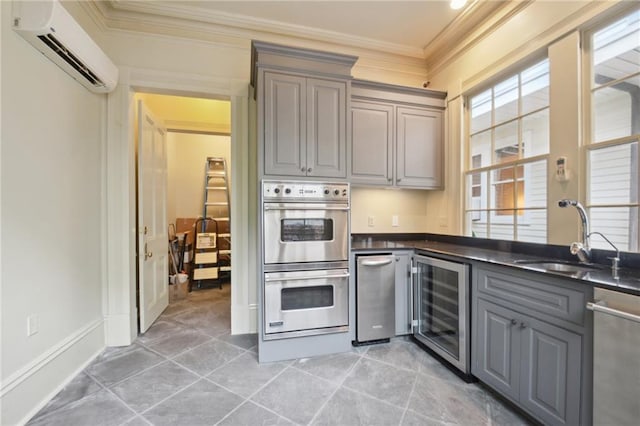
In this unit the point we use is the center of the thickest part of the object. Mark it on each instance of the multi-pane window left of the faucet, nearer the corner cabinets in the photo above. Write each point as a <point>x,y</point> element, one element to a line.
<point>508,147</point>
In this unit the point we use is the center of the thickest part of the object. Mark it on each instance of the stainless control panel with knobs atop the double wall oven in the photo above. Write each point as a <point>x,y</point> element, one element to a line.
<point>307,191</point>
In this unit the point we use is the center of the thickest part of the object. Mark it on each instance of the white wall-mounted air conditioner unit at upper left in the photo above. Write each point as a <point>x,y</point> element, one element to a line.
<point>52,30</point>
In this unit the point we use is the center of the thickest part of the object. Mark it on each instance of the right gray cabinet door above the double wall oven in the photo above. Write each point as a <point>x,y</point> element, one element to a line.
<point>326,128</point>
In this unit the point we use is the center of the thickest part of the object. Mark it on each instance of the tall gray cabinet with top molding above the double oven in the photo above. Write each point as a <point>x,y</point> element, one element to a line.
<point>301,97</point>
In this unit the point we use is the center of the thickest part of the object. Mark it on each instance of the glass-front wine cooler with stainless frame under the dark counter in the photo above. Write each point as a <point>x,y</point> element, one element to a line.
<point>441,308</point>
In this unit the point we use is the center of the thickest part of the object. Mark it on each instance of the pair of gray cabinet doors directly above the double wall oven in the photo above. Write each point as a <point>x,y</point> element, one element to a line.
<point>305,126</point>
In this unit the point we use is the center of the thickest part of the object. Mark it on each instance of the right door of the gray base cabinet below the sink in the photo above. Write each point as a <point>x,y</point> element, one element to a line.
<point>550,372</point>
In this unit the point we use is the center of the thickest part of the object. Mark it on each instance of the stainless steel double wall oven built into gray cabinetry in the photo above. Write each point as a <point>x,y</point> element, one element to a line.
<point>305,244</point>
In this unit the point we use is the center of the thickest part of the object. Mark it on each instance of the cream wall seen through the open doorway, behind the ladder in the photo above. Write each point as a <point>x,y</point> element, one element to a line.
<point>187,161</point>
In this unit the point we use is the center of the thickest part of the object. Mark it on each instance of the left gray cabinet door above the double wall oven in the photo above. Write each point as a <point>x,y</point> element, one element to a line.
<point>285,125</point>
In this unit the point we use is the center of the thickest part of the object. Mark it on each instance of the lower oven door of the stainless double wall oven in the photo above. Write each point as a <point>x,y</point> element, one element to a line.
<point>305,302</point>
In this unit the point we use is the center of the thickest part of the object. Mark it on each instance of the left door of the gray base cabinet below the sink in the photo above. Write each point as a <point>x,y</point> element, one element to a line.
<point>497,348</point>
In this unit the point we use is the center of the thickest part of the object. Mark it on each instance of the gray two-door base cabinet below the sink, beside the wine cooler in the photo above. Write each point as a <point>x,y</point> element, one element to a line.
<point>531,344</point>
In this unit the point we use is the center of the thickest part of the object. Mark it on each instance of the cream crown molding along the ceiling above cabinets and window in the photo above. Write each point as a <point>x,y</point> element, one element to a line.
<point>173,19</point>
